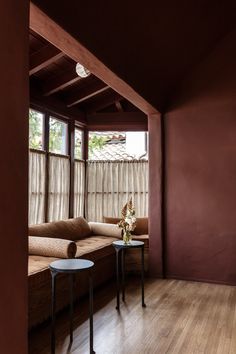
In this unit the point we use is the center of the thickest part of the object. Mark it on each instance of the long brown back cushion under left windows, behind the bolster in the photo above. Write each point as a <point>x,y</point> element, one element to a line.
<point>71,229</point>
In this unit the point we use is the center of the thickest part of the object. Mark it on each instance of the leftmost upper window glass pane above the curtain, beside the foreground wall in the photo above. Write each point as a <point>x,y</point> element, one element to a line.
<point>36,120</point>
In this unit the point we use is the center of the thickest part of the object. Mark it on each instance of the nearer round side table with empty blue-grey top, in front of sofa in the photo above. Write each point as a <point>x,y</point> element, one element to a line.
<point>71,267</point>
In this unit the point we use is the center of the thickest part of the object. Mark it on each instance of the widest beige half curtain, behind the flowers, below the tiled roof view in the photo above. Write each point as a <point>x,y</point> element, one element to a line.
<point>110,184</point>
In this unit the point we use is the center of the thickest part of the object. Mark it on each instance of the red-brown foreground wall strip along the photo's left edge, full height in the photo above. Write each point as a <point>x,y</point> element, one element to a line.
<point>13,176</point>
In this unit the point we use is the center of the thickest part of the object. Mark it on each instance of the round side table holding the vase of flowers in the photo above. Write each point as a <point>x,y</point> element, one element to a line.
<point>120,248</point>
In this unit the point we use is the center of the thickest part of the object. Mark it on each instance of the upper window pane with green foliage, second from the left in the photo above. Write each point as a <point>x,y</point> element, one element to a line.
<point>57,136</point>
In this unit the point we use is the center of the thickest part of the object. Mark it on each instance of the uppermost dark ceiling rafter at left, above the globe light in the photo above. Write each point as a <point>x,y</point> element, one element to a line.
<point>43,57</point>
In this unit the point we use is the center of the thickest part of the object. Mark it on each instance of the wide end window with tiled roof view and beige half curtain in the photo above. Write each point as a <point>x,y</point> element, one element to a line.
<point>117,170</point>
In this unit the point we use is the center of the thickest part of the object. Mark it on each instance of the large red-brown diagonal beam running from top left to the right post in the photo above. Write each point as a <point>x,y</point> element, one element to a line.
<point>51,31</point>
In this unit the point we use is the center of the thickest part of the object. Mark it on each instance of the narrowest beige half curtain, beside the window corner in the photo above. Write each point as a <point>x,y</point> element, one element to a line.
<point>79,188</point>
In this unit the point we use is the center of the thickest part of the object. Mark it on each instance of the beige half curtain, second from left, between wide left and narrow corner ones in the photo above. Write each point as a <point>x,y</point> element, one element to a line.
<point>59,186</point>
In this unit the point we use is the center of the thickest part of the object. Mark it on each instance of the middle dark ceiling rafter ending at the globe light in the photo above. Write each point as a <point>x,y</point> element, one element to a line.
<point>60,82</point>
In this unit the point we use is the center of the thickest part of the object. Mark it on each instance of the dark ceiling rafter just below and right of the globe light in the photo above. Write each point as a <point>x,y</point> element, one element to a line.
<point>85,93</point>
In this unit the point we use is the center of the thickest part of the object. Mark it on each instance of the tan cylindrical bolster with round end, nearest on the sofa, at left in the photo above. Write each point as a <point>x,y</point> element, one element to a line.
<point>51,247</point>
